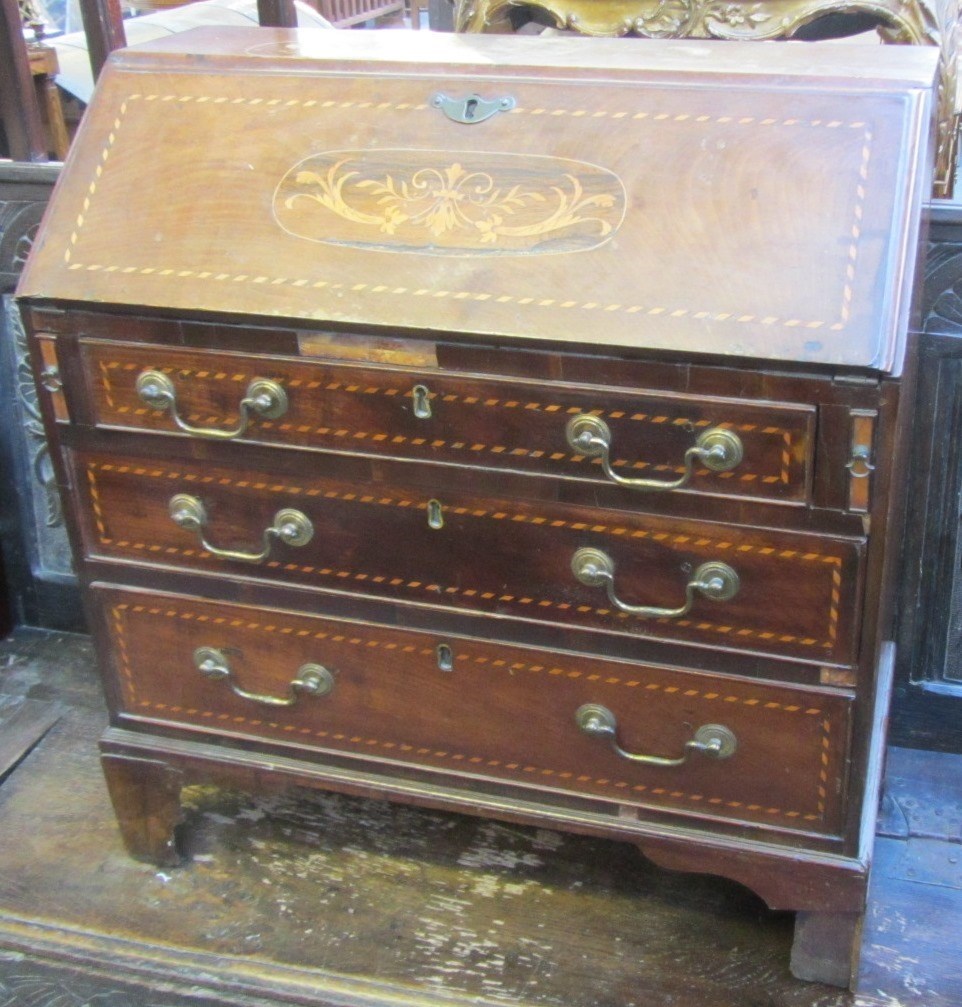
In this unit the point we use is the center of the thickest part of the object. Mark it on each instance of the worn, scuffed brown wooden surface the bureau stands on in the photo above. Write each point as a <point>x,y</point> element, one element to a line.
<point>314,899</point>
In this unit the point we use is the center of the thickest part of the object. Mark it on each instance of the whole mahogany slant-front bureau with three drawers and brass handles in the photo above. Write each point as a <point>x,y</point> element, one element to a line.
<point>504,425</point>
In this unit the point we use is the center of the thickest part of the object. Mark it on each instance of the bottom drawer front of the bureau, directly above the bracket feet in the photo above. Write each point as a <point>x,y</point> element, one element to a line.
<point>491,712</point>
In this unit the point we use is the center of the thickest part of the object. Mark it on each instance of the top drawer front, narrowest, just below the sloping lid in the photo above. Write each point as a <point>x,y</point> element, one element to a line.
<point>433,416</point>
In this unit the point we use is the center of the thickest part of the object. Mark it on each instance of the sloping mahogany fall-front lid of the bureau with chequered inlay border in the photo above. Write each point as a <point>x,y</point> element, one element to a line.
<point>760,222</point>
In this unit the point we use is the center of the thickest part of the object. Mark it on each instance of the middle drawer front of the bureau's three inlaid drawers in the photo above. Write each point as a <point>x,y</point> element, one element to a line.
<point>791,596</point>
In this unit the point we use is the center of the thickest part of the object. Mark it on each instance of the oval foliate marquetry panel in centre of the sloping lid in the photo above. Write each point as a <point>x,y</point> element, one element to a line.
<point>471,204</point>
